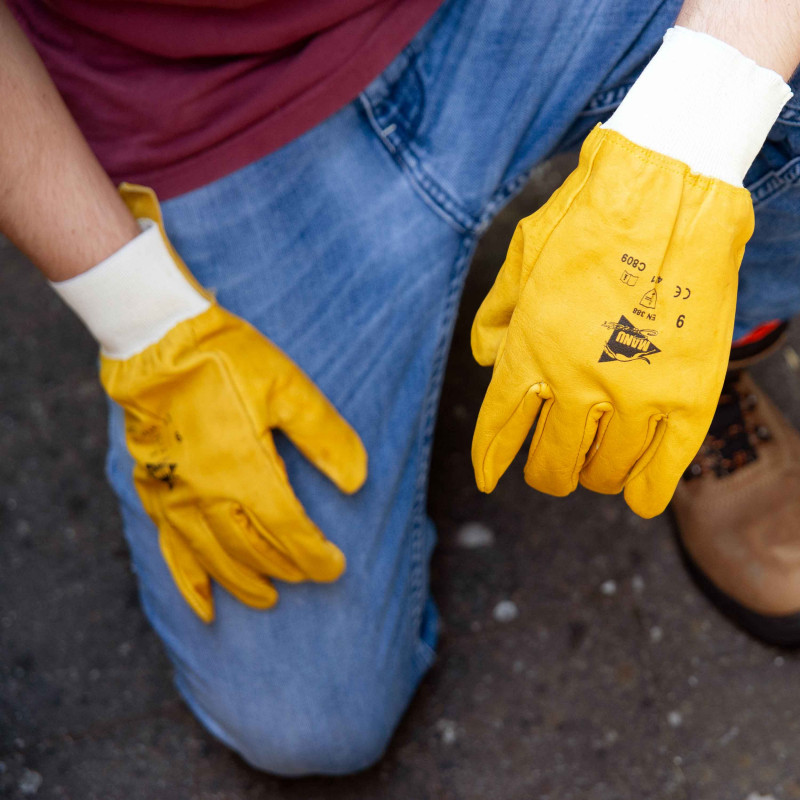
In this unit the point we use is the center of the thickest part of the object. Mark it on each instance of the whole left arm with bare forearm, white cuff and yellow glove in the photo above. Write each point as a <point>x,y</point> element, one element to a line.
<point>201,389</point>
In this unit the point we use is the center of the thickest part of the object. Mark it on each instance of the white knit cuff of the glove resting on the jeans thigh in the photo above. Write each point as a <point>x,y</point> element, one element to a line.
<point>131,299</point>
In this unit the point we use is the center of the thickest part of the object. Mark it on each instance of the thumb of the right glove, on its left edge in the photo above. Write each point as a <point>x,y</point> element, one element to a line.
<point>491,321</point>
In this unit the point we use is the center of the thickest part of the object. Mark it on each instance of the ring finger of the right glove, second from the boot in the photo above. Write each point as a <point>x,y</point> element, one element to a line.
<point>621,441</point>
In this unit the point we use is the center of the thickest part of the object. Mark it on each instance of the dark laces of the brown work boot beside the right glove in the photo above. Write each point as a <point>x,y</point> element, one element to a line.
<point>735,433</point>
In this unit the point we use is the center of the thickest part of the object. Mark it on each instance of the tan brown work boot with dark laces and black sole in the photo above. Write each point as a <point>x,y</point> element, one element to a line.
<point>738,513</point>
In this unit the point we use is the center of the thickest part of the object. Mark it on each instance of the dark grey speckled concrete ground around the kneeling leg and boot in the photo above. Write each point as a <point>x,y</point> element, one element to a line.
<point>609,678</point>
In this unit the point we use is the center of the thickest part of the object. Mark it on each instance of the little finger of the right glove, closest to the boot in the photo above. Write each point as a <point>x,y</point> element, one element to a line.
<point>655,476</point>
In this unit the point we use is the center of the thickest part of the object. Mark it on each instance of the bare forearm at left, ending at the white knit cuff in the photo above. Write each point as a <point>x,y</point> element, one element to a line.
<point>57,204</point>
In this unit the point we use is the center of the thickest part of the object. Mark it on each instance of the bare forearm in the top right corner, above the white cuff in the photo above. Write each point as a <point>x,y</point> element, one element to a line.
<point>768,31</point>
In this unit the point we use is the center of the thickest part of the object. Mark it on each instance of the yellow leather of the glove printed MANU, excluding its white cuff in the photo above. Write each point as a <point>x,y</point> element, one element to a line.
<point>609,326</point>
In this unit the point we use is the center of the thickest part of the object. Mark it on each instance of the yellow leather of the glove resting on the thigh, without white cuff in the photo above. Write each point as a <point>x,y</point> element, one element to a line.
<point>200,403</point>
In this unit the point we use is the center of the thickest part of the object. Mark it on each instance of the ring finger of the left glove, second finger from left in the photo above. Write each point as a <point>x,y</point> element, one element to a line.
<point>240,580</point>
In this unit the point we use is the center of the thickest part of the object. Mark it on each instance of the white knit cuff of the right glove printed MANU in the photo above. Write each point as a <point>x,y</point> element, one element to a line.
<point>702,102</point>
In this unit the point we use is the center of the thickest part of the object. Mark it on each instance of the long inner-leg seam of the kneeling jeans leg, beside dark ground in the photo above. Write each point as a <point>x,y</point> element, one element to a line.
<point>427,426</point>
